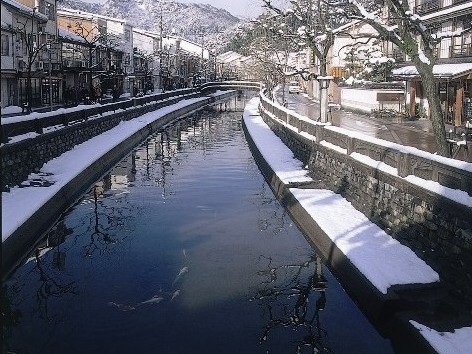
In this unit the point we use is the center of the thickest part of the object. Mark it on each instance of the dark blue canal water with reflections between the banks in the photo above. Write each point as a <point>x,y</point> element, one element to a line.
<point>182,248</point>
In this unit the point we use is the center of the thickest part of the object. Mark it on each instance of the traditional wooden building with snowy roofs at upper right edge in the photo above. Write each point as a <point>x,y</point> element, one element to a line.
<point>453,68</point>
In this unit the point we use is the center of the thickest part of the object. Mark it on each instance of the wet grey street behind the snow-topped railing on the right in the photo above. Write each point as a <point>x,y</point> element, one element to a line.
<point>417,133</point>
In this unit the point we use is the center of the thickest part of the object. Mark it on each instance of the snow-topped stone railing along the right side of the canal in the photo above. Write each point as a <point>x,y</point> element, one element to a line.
<point>405,161</point>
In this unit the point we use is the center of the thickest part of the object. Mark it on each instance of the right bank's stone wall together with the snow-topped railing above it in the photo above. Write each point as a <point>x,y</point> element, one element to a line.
<point>391,185</point>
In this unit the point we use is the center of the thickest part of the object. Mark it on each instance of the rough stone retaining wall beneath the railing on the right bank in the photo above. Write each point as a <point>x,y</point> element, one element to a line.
<point>436,228</point>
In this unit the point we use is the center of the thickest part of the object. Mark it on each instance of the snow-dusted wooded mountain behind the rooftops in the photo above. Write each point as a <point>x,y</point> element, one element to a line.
<point>195,22</point>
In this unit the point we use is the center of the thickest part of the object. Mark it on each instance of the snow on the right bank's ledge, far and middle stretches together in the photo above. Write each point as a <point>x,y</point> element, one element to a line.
<point>359,239</point>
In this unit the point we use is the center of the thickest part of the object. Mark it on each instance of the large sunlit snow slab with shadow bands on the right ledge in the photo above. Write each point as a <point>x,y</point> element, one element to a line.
<point>382,259</point>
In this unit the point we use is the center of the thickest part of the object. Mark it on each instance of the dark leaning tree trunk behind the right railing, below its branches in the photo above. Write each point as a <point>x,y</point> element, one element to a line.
<point>437,119</point>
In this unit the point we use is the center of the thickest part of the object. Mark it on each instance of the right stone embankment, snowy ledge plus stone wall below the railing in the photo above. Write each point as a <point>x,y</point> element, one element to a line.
<point>397,288</point>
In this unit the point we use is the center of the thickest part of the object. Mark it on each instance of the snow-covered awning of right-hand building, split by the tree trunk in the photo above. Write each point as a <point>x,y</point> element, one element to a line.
<point>440,71</point>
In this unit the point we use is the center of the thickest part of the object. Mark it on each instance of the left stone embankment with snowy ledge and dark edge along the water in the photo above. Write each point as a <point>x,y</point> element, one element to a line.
<point>41,206</point>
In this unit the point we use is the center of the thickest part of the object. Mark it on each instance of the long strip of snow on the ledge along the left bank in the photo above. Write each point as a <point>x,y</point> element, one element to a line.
<point>21,203</point>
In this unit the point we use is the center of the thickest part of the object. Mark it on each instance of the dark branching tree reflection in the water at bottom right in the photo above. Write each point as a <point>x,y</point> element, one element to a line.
<point>286,298</point>
